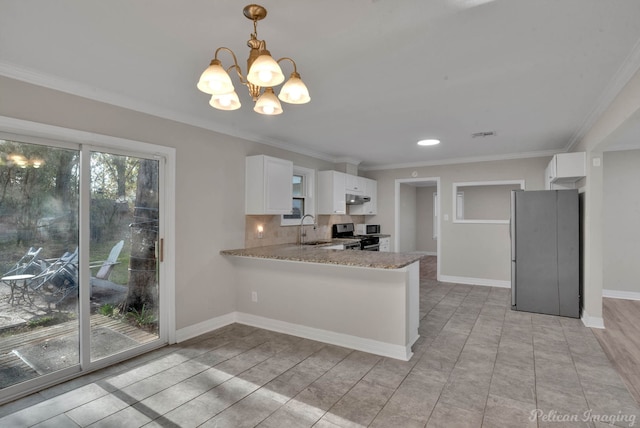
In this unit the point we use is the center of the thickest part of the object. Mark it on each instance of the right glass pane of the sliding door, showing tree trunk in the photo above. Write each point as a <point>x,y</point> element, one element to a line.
<point>124,244</point>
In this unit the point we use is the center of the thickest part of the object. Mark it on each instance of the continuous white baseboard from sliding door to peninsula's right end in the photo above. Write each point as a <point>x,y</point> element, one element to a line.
<point>353,342</point>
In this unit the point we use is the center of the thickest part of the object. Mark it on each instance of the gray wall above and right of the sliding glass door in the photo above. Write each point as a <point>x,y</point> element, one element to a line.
<point>209,186</point>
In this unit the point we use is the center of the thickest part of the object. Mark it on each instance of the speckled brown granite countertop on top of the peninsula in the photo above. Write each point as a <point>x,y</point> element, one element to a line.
<point>316,254</point>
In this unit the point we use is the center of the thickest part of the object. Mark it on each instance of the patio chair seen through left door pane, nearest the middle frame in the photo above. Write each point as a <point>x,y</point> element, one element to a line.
<point>58,279</point>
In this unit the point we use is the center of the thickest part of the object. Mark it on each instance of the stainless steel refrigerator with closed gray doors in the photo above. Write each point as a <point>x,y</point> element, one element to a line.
<point>545,252</point>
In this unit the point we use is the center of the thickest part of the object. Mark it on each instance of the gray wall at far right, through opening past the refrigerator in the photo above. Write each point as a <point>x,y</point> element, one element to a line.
<point>621,255</point>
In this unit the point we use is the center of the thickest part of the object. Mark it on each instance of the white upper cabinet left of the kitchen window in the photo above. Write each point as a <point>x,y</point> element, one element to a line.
<point>268,188</point>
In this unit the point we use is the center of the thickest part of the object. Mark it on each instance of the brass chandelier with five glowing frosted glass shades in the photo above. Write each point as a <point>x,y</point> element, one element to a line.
<point>263,74</point>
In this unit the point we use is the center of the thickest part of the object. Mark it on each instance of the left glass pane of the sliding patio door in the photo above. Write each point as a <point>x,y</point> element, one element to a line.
<point>39,213</point>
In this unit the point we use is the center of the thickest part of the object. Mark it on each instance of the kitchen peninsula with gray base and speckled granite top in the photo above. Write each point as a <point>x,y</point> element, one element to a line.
<point>358,299</point>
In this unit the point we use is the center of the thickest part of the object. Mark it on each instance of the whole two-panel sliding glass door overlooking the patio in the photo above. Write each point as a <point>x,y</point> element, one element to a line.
<point>80,248</point>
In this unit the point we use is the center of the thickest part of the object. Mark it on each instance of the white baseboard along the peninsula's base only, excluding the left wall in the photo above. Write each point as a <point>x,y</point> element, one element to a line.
<point>353,342</point>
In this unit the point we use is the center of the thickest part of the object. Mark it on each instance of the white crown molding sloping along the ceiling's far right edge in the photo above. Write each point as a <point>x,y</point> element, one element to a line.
<point>629,67</point>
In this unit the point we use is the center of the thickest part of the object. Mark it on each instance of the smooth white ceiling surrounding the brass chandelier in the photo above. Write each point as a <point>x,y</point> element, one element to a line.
<point>382,74</point>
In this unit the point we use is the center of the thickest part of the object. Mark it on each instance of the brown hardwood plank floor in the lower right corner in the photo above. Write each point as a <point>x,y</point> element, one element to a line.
<point>621,340</point>
